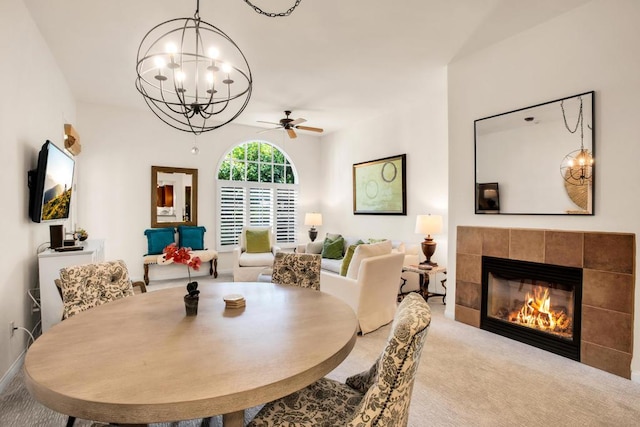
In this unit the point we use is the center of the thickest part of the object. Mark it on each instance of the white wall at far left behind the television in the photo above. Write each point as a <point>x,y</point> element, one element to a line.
<point>34,106</point>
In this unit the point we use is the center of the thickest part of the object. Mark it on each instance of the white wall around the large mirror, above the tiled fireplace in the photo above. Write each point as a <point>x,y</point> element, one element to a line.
<point>594,47</point>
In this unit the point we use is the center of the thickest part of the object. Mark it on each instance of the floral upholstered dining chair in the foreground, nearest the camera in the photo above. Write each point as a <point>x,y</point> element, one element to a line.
<point>378,397</point>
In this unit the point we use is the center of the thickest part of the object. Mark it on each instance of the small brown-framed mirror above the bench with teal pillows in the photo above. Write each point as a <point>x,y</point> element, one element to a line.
<point>174,196</point>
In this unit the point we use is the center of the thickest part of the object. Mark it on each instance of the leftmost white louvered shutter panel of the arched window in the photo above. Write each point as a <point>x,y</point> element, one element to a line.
<point>232,214</point>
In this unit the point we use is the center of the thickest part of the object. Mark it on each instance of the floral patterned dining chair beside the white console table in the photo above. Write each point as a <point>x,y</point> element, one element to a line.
<point>86,286</point>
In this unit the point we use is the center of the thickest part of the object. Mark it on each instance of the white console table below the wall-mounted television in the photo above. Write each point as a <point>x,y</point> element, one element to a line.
<point>49,264</point>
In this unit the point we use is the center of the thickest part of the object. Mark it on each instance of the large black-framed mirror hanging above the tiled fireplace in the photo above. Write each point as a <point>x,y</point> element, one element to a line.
<point>540,158</point>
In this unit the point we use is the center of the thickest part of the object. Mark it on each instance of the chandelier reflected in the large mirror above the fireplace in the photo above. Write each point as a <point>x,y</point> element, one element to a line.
<point>577,166</point>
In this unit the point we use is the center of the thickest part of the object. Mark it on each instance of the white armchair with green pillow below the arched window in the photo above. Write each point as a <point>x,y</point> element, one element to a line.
<point>255,253</point>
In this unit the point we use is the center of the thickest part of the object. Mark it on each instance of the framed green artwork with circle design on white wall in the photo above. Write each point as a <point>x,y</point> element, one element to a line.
<point>379,186</point>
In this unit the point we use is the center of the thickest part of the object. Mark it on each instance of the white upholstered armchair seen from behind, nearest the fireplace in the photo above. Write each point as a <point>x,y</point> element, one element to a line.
<point>373,293</point>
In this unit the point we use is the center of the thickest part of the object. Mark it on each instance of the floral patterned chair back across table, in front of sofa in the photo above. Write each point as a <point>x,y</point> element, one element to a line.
<point>301,270</point>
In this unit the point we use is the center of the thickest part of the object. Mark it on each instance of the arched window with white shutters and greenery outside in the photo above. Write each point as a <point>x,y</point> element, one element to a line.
<point>258,186</point>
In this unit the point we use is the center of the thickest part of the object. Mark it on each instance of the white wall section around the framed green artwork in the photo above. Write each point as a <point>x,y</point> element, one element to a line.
<point>420,131</point>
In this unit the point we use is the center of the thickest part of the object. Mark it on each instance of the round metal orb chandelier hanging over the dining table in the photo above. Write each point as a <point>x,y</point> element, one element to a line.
<point>192,75</point>
